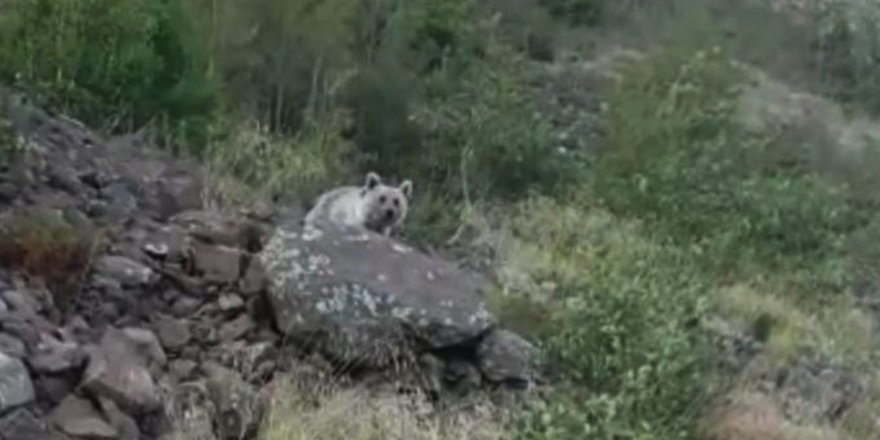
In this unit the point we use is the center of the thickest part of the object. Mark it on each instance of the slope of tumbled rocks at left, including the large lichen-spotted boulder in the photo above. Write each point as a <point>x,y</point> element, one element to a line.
<point>170,304</point>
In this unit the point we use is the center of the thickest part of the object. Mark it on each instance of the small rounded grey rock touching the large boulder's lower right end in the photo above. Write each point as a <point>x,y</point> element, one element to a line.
<point>505,356</point>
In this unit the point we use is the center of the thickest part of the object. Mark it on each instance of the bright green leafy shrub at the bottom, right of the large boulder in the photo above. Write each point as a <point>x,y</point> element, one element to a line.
<point>625,344</point>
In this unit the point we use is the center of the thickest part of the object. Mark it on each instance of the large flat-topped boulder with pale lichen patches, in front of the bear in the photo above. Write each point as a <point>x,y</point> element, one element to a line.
<point>365,298</point>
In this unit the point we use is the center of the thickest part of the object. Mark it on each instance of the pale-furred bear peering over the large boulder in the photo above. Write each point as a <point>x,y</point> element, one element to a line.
<point>374,206</point>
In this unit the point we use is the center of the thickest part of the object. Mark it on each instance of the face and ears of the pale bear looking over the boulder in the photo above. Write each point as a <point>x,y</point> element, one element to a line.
<point>384,206</point>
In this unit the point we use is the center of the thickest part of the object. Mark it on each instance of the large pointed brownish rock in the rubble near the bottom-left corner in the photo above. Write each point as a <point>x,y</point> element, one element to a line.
<point>117,371</point>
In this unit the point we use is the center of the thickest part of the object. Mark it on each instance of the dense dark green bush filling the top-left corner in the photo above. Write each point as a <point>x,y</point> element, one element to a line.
<point>107,61</point>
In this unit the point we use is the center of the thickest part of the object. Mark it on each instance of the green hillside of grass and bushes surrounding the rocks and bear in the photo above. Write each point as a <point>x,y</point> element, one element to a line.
<point>630,255</point>
